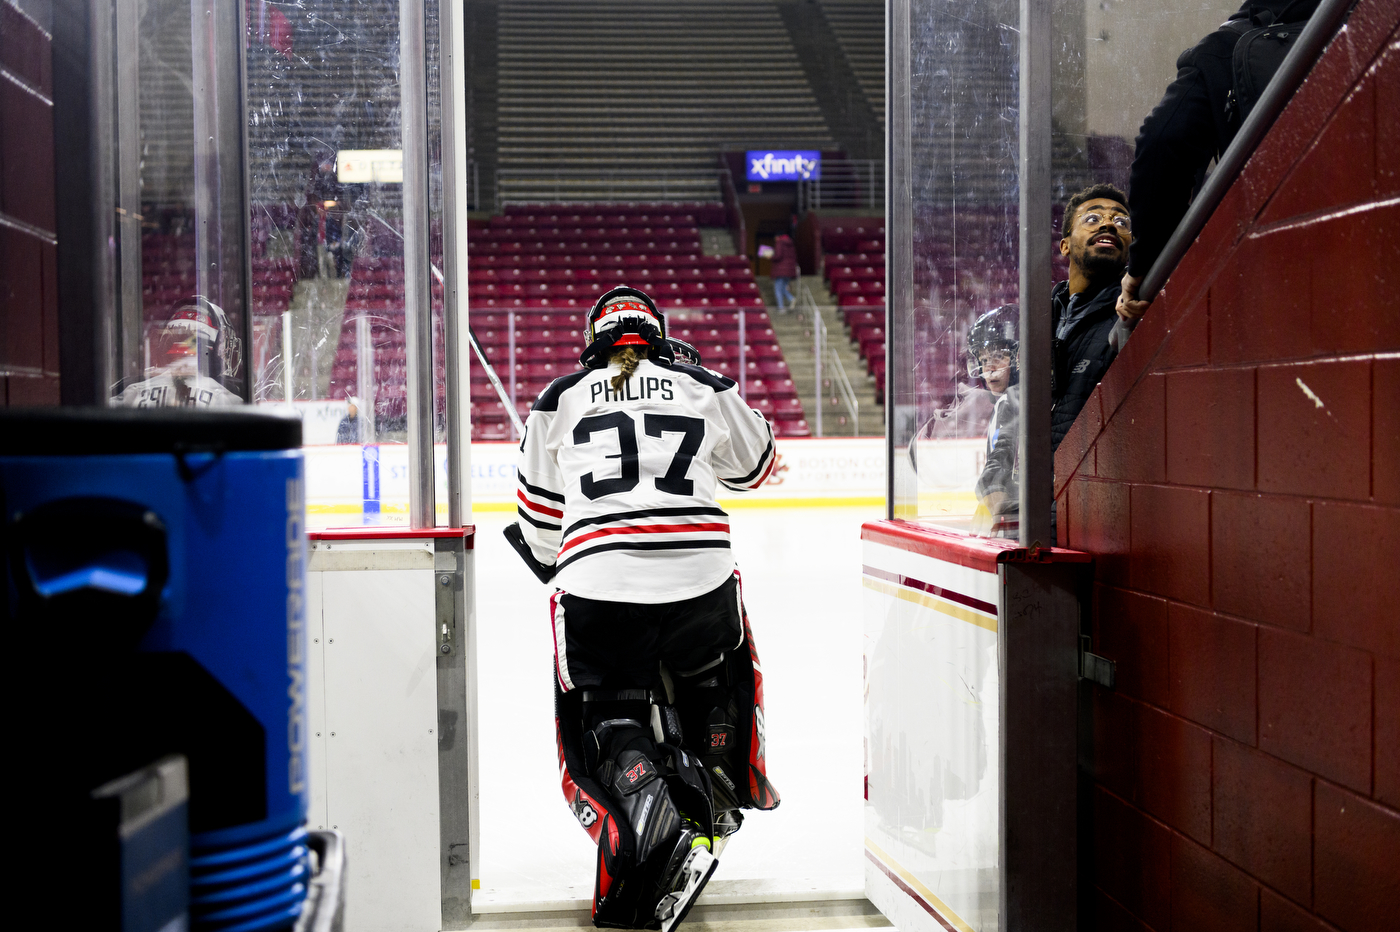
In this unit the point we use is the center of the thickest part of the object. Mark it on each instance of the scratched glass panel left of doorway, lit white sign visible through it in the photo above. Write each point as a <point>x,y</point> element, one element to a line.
<point>327,219</point>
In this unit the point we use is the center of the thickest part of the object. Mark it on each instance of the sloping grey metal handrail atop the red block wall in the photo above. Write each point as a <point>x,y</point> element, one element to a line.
<point>1291,73</point>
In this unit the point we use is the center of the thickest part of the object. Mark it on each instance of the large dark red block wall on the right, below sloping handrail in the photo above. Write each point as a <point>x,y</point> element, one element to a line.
<point>1238,475</point>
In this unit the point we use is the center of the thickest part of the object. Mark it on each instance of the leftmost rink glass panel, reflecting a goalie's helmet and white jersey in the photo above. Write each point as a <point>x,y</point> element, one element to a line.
<point>169,87</point>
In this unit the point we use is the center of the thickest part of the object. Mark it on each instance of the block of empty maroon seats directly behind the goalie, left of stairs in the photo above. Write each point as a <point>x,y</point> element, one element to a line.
<point>535,272</point>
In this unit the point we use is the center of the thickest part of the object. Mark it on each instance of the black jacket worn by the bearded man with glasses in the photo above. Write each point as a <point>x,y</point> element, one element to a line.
<point>1079,362</point>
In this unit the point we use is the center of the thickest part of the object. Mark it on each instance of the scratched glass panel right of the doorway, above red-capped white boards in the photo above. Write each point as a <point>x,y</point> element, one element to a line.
<point>954,243</point>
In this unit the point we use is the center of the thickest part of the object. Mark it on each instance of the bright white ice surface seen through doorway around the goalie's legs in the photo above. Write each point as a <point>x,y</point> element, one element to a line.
<point>803,588</point>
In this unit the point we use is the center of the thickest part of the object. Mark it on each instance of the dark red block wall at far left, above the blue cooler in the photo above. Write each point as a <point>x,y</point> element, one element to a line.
<point>29,283</point>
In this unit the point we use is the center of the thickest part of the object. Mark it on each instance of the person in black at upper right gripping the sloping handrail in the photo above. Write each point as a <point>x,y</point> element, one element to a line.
<point>1193,124</point>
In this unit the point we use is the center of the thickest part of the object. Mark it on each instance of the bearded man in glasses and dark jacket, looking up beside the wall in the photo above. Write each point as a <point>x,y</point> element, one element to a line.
<point>1095,237</point>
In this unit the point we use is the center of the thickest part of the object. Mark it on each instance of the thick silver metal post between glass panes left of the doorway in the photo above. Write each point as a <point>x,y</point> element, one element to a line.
<point>418,296</point>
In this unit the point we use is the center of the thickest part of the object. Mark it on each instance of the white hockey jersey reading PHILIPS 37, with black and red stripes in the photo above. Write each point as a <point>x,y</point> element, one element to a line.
<point>618,489</point>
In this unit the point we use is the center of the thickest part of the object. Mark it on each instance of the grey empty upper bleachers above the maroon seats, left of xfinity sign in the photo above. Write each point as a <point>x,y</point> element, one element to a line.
<point>631,101</point>
